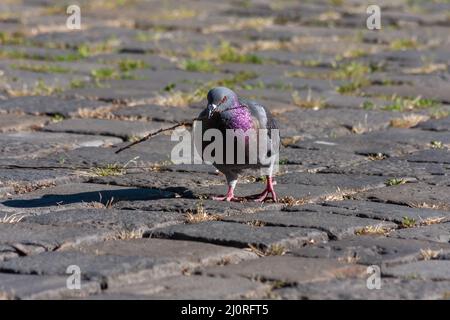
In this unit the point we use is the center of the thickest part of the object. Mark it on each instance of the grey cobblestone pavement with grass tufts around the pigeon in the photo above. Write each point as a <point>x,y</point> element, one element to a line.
<point>365,178</point>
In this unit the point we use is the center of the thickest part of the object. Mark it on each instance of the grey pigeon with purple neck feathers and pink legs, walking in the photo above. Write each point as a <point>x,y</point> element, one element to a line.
<point>225,110</point>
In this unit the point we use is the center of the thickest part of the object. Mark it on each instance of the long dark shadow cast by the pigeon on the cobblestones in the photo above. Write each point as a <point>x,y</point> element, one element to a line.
<point>102,196</point>
